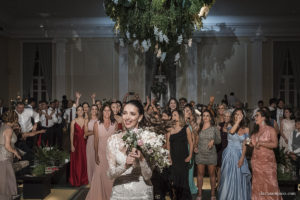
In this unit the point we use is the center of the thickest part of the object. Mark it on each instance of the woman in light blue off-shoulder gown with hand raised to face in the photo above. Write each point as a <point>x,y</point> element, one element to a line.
<point>235,182</point>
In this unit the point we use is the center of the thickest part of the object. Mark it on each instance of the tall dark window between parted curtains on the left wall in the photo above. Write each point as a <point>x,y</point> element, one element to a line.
<point>38,88</point>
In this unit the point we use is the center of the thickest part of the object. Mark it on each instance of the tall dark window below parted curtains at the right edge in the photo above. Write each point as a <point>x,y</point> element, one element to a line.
<point>287,89</point>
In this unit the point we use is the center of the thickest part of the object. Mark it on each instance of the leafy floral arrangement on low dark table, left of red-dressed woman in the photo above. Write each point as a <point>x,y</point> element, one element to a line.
<point>48,160</point>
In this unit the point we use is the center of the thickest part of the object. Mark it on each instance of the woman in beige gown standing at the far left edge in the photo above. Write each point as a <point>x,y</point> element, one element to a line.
<point>8,185</point>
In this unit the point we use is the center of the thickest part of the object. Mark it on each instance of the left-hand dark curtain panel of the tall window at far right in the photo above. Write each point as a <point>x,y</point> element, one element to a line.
<point>280,50</point>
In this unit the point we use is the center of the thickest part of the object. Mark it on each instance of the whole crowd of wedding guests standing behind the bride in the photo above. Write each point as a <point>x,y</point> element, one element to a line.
<point>200,136</point>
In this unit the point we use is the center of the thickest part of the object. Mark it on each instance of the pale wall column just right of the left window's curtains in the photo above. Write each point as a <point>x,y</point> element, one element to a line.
<point>60,68</point>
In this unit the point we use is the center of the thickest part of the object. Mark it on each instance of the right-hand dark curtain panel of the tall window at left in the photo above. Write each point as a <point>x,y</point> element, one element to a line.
<point>45,60</point>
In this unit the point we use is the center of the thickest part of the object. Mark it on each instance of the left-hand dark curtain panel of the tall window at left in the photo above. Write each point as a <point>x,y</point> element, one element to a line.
<point>29,53</point>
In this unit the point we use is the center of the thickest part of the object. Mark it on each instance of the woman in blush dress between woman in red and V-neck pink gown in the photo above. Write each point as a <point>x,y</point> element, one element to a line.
<point>89,134</point>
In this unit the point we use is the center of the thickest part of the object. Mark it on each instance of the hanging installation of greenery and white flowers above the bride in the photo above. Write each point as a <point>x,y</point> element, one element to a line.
<point>164,26</point>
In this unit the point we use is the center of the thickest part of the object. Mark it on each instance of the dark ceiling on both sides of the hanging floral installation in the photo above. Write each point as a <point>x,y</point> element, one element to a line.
<point>17,14</point>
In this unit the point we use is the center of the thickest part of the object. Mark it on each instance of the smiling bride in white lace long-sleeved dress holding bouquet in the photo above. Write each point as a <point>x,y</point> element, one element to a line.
<point>130,170</point>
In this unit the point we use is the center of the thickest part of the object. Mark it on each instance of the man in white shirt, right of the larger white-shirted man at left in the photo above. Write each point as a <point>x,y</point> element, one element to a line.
<point>48,120</point>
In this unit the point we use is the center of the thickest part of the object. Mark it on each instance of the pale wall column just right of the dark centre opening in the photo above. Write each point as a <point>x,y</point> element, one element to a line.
<point>192,72</point>
